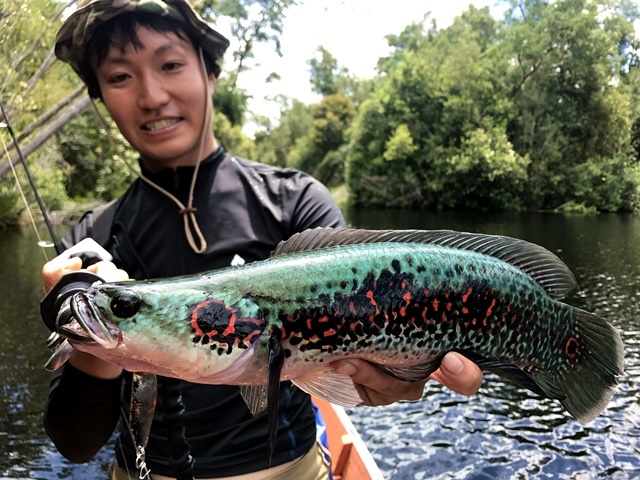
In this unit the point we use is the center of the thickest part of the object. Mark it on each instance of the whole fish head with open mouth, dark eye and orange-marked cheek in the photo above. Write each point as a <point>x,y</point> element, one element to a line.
<point>173,329</point>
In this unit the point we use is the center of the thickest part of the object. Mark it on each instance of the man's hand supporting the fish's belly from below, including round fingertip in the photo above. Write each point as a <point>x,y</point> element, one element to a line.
<point>376,388</point>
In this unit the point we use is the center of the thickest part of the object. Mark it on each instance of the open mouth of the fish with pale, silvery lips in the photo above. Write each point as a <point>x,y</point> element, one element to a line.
<point>88,326</point>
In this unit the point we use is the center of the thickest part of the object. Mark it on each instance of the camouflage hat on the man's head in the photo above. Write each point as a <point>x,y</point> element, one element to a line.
<point>77,30</point>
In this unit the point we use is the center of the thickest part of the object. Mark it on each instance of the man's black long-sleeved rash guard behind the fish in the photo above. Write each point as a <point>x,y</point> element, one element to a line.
<point>244,209</point>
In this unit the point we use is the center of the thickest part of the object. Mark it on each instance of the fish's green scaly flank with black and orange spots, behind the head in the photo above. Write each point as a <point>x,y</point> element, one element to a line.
<point>370,299</point>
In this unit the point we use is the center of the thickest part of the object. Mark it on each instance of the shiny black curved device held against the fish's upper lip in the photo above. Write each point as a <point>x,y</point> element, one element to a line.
<point>55,309</point>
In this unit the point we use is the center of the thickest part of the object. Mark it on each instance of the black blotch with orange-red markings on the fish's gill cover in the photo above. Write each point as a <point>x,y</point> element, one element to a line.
<point>223,328</point>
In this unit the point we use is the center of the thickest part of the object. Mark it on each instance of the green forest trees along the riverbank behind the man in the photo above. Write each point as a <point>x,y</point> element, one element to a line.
<point>538,110</point>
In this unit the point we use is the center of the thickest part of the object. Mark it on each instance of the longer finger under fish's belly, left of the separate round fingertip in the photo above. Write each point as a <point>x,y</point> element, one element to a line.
<point>375,387</point>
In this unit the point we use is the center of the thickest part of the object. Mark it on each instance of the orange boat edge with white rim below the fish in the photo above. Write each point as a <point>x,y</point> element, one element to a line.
<point>351,459</point>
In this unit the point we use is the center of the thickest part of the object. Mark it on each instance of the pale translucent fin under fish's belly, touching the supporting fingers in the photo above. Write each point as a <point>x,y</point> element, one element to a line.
<point>330,386</point>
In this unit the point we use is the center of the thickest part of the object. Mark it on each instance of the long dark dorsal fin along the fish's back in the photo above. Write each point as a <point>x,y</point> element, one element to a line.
<point>538,262</point>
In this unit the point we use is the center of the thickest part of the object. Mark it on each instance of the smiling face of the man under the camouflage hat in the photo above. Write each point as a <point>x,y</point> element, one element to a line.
<point>156,95</point>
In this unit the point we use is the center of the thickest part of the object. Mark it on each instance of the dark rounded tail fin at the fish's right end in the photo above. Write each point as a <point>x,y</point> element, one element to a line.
<point>596,357</point>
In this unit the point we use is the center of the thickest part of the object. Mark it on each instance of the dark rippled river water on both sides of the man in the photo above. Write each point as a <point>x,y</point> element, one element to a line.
<point>501,433</point>
